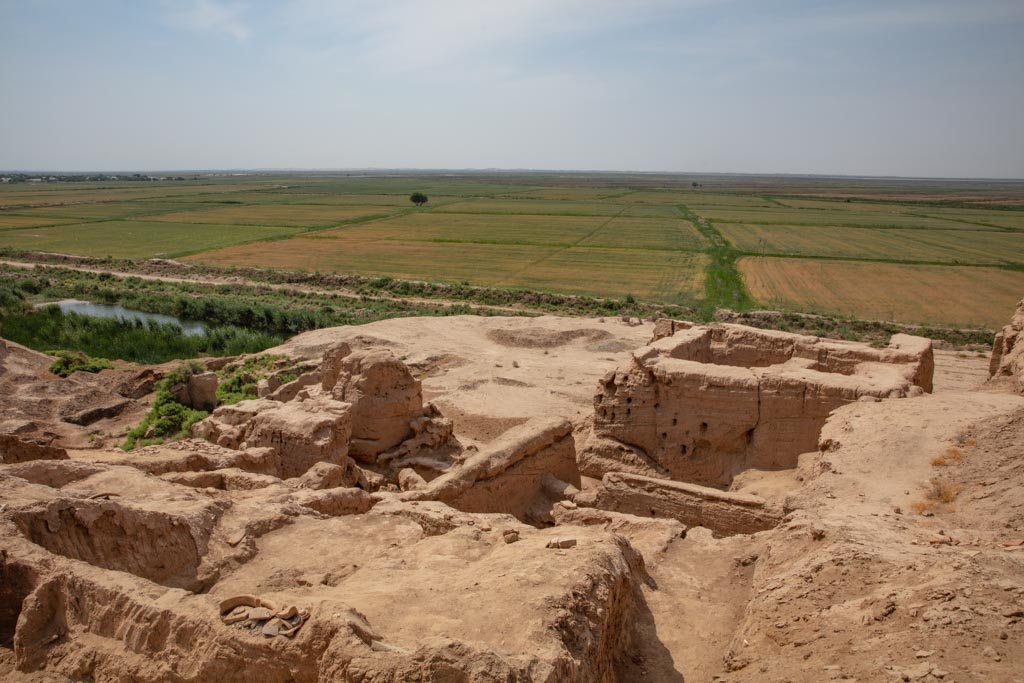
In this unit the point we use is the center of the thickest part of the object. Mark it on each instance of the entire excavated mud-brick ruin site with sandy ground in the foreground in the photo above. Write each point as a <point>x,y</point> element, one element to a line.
<point>472,499</point>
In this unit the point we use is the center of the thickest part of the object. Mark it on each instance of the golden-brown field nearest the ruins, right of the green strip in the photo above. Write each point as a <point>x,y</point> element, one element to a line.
<point>975,297</point>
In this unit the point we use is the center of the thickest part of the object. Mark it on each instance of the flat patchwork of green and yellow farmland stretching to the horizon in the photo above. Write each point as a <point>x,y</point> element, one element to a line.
<point>654,237</point>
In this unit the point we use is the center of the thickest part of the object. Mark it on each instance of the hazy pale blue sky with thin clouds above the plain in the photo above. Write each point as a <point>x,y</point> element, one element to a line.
<point>899,88</point>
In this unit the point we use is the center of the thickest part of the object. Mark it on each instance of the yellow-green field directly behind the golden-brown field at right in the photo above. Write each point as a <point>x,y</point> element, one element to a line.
<point>913,245</point>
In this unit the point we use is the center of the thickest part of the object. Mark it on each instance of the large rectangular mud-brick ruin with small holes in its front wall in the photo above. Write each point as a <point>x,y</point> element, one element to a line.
<point>709,403</point>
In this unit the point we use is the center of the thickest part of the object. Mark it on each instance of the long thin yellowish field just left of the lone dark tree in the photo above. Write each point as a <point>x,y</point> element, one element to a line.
<point>304,216</point>
